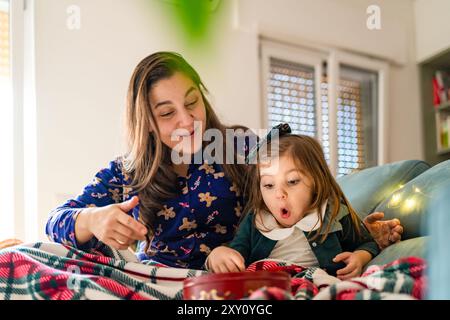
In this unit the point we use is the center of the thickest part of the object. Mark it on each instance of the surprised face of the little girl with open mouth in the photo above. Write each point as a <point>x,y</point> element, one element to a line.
<point>285,190</point>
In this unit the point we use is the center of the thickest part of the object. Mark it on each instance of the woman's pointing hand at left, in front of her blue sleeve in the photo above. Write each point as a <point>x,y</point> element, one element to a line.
<point>111,225</point>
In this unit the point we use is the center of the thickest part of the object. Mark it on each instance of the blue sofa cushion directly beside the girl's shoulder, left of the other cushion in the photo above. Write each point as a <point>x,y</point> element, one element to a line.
<point>366,189</point>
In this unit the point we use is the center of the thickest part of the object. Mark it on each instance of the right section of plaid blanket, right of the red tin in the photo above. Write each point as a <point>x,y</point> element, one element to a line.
<point>401,279</point>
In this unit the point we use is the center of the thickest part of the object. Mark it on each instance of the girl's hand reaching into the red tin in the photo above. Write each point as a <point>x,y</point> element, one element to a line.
<point>224,259</point>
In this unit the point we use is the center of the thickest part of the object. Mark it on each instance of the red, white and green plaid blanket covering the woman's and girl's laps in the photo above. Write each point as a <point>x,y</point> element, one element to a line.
<point>53,271</point>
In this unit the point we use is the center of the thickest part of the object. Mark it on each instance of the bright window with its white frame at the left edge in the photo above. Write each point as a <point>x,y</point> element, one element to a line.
<point>18,216</point>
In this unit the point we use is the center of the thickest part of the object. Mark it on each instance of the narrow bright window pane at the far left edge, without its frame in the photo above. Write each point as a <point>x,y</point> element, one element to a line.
<point>6,128</point>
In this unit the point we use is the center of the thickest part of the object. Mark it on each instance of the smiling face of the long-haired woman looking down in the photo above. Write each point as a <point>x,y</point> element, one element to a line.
<point>177,103</point>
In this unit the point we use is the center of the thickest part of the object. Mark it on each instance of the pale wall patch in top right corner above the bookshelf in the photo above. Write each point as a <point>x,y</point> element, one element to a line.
<point>432,27</point>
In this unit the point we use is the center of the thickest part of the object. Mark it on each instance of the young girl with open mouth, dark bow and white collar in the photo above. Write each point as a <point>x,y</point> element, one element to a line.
<point>300,216</point>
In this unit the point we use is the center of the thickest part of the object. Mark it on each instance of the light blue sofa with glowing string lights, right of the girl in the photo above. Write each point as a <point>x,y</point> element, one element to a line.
<point>409,191</point>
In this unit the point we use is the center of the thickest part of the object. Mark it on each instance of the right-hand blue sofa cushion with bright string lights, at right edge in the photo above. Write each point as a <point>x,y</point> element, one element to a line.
<point>413,202</point>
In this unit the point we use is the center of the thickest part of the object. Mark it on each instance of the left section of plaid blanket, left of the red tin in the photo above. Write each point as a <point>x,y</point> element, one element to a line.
<point>50,271</point>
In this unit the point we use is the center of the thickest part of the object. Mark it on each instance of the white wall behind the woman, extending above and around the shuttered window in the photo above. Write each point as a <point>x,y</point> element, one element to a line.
<point>82,76</point>
